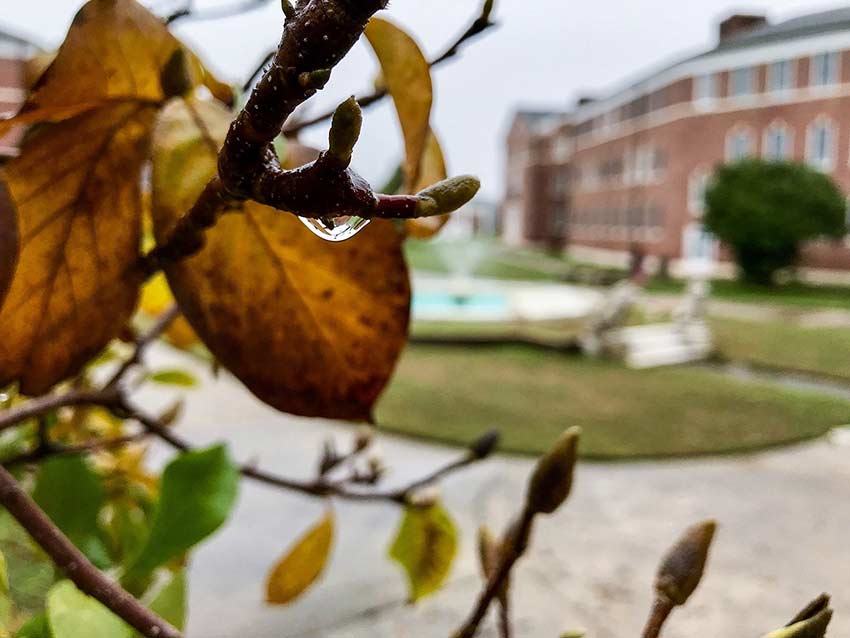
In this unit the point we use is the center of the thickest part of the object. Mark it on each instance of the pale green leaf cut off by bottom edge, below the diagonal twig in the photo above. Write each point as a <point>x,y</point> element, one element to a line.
<point>72,614</point>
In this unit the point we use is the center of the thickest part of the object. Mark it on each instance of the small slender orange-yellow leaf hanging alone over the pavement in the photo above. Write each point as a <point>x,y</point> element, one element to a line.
<point>302,565</point>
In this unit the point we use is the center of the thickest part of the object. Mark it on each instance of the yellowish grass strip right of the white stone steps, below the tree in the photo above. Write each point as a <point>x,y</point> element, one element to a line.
<point>785,345</point>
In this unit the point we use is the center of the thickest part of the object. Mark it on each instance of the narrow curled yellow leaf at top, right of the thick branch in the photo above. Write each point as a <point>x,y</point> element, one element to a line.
<point>407,77</point>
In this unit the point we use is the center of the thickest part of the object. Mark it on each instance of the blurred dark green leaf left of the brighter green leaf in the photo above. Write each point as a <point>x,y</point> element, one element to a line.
<point>72,495</point>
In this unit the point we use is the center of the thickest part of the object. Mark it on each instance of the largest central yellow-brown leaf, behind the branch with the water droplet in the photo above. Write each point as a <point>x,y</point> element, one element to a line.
<point>311,328</point>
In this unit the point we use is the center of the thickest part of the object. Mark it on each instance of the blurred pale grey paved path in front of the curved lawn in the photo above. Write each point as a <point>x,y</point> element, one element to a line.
<point>784,538</point>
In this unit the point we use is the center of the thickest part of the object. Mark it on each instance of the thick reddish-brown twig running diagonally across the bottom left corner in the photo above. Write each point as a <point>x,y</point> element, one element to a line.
<point>76,566</point>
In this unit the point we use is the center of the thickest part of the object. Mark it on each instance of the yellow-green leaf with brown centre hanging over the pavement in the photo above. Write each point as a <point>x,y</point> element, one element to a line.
<point>425,546</point>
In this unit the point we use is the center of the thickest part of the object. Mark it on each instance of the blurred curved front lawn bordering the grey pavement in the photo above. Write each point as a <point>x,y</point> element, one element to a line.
<point>453,394</point>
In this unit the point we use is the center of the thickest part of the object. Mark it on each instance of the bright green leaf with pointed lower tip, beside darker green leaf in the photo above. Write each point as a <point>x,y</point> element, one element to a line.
<point>197,493</point>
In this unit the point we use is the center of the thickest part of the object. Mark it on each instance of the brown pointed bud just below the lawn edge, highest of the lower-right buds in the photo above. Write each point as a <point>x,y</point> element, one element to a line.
<point>553,476</point>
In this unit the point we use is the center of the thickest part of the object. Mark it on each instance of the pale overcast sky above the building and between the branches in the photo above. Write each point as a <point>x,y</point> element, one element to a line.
<point>544,54</point>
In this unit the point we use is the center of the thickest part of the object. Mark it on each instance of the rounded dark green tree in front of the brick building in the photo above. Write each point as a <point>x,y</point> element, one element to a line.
<point>764,211</point>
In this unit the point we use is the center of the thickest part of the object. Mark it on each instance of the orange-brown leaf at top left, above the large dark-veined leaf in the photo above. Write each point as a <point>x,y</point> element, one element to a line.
<point>115,51</point>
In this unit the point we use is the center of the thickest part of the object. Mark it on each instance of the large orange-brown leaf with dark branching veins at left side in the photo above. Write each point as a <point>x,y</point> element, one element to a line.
<point>75,187</point>
